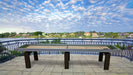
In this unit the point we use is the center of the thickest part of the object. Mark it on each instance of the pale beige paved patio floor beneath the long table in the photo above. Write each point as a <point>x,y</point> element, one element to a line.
<point>79,65</point>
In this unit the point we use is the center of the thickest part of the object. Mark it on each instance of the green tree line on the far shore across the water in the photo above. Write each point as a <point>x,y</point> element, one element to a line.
<point>39,34</point>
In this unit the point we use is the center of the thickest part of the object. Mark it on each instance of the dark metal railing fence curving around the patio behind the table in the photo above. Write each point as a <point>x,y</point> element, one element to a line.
<point>7,47</point>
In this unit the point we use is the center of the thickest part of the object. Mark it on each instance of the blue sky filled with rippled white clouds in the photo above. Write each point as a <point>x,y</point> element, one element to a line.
<point>66,15</point>
